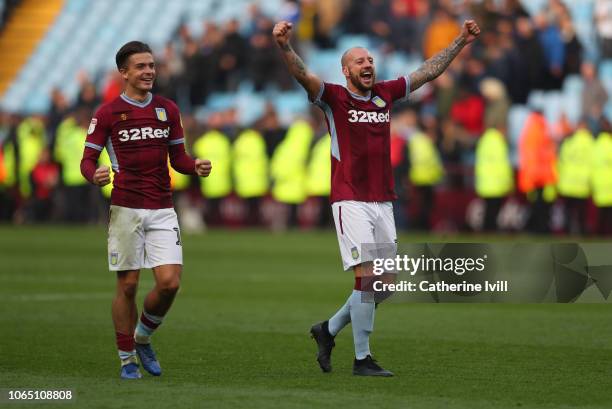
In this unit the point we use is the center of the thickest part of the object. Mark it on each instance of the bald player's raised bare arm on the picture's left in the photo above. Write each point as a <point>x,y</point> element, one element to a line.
<point>297,68</point>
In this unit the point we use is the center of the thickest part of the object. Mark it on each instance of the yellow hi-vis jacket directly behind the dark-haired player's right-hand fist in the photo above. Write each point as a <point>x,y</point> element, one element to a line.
<point>215,146</point>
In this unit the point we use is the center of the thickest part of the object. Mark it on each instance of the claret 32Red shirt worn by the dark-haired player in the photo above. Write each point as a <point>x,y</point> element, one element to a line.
<point>137,136</point>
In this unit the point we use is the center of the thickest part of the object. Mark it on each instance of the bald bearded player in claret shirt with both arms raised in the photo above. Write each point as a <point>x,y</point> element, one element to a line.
<point>358,118</point>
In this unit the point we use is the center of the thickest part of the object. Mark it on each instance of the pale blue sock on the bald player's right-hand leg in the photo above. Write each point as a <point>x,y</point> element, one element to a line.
<point>362,320</point>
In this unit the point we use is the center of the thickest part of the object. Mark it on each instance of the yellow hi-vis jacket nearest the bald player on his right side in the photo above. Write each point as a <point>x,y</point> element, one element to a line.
<point>425,165</point>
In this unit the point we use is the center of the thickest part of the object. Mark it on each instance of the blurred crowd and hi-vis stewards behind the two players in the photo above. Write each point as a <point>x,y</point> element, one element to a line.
<point>450,144</point>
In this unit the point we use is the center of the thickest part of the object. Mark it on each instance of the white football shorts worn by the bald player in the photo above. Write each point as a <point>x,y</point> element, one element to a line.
<point>364,223</point>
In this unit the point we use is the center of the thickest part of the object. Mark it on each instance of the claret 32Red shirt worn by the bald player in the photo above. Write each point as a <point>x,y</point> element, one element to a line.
<point>360,129</point>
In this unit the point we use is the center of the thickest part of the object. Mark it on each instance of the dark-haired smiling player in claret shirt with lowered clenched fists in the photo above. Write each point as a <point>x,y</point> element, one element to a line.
<point>140,131</point>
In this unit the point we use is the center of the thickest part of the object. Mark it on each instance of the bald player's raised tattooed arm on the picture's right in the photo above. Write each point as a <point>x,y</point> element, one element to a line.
<point>436,65</point>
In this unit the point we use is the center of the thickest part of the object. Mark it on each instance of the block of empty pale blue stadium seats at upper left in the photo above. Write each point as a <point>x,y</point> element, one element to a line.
<point>85,36</point>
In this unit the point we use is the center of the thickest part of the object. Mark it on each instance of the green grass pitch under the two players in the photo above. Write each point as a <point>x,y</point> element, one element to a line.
<point>237,335</point>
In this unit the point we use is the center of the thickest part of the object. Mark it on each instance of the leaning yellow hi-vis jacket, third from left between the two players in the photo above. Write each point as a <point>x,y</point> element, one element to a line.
<point>288,168</point>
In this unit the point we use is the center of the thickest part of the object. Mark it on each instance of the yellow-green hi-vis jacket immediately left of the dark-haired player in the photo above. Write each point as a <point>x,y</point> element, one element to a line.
<point>69,144</point>
